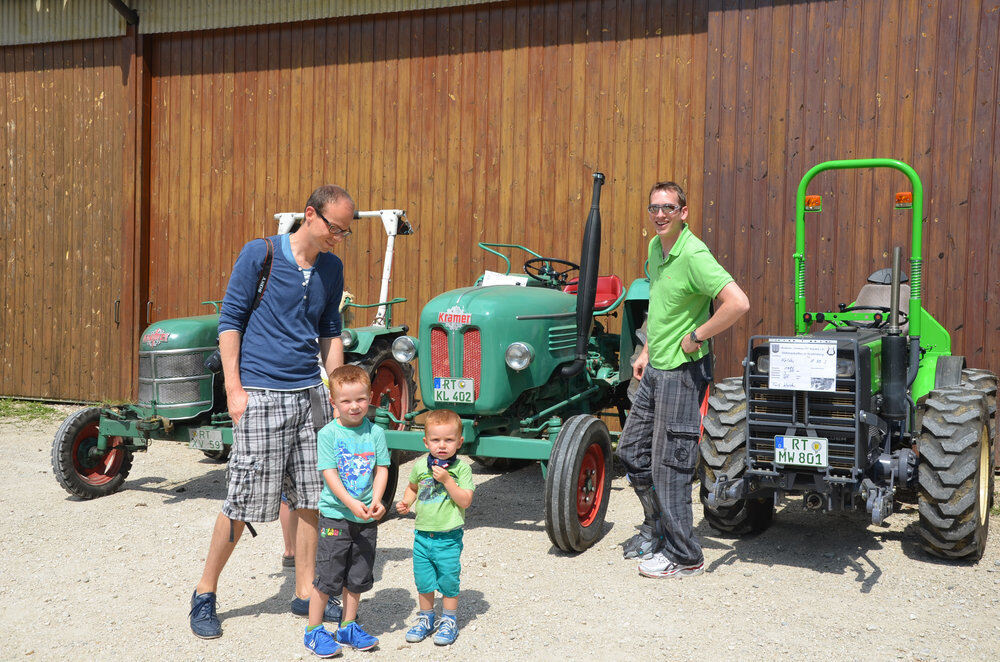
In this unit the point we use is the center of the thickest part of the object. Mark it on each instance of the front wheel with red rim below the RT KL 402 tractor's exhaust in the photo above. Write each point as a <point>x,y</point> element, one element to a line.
<point>578,483</point>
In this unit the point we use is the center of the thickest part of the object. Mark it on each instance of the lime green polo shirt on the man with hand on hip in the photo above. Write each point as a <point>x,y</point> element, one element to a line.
<point>681,287</point>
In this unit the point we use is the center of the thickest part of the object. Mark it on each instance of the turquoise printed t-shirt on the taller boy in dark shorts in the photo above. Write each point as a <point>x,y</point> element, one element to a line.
<point>354,453</point>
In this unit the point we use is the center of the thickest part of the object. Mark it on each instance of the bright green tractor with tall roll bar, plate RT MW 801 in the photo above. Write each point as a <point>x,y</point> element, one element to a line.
<point>858,414</point>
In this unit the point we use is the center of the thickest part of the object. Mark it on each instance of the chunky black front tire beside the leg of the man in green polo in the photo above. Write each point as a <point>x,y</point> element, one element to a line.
<point>723,450</point>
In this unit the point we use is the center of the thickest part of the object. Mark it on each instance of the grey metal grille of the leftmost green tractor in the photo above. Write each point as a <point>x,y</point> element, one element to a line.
<point>175,379</point>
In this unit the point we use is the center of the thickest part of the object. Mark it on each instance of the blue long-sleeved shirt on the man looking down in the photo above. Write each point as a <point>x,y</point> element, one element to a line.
<point>280,345</point>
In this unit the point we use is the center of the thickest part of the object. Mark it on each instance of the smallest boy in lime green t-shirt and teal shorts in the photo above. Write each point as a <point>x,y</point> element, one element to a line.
<point>439,491</point>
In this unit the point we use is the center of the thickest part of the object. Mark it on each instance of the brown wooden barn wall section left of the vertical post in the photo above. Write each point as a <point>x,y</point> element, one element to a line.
<point>66,203</point>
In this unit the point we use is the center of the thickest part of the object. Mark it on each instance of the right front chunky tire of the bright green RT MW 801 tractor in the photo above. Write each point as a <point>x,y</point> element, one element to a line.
<point>955,473</point>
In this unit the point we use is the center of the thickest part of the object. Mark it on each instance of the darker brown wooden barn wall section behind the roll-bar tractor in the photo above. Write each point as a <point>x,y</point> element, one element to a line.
<point>792,84</point>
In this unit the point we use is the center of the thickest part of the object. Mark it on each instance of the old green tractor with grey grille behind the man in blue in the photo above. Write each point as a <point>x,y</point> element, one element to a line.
<point>182,397</point>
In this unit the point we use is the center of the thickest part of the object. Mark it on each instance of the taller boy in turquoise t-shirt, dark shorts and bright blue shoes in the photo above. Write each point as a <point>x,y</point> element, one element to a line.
<point>354,460</point>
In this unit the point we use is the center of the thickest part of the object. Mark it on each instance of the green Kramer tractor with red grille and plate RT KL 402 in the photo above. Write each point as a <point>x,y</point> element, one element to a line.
<point>528,368</point>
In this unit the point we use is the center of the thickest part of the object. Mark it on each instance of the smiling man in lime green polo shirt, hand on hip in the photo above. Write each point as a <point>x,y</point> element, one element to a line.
<point>659,444</point>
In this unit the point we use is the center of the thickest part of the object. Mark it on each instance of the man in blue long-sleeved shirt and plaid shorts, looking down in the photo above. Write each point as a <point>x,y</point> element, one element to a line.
<point>275,392</point>
